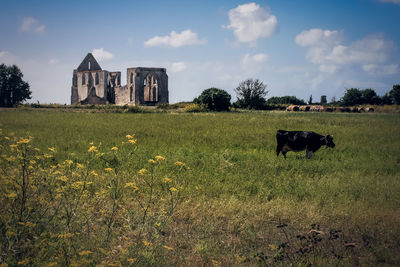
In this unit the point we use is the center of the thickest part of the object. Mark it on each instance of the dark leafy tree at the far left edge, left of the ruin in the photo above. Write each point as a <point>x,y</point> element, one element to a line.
<point>13,89</point>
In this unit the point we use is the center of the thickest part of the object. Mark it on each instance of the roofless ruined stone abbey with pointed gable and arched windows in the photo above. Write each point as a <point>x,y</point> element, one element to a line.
<point>92,85</point>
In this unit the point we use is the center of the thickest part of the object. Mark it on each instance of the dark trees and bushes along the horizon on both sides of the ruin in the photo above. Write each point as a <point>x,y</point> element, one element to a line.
<point>251,94</point>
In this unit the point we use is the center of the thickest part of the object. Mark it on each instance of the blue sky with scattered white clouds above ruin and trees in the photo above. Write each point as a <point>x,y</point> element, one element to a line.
<point>297,48</point>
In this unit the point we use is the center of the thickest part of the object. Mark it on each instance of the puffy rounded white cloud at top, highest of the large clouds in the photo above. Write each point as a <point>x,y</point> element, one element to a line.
<point>250,22</point>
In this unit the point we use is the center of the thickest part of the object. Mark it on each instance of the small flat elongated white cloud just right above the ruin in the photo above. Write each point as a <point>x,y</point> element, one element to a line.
<point>186,37</point>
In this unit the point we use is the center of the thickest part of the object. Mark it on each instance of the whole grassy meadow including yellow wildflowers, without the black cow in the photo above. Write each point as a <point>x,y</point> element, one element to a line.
<point>104,189</point>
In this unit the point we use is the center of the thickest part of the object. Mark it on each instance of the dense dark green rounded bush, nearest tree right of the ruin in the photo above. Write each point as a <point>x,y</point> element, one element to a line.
<point>214,99</point>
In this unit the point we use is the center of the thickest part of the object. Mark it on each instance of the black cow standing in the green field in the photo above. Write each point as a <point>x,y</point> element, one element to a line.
<point>301,140</point>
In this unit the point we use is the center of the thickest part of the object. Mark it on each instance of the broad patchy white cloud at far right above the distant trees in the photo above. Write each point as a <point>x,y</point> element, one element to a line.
<point>326,49</point>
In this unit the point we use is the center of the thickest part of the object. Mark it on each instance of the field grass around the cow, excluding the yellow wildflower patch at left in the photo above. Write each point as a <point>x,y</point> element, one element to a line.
<point>237,192</point>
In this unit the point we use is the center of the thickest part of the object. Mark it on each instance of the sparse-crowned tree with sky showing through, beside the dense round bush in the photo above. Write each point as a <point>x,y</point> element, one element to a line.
<point>251,94</point>
